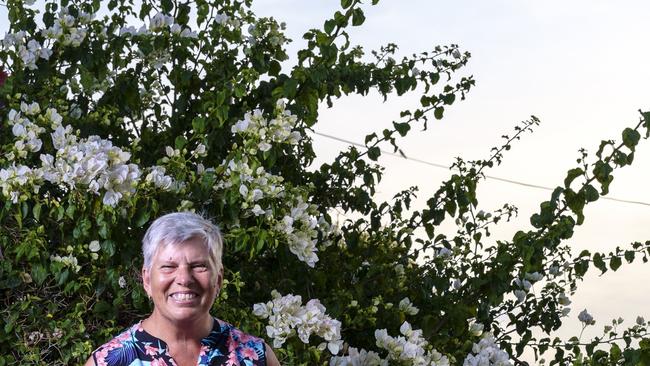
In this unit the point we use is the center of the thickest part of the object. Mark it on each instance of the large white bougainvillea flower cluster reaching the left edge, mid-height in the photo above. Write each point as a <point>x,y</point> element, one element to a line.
<point>92,162</point>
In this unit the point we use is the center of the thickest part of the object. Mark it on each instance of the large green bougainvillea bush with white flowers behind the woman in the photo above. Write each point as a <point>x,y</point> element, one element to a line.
<point>112,114</point>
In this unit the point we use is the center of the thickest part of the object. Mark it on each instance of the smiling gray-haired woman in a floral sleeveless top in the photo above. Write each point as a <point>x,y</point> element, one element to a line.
<point>182,274</point>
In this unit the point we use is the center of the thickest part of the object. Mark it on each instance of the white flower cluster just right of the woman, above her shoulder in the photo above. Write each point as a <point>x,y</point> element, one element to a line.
<point>288,316</point>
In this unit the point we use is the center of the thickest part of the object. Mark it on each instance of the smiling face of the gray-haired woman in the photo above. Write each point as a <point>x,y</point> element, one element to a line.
<point>182,282</point>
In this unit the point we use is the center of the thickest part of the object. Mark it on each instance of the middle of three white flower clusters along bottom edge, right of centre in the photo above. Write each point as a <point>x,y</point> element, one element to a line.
<point>410,347</point>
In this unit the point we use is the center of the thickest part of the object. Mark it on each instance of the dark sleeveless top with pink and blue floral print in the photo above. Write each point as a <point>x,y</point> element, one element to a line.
<point>224,346</point>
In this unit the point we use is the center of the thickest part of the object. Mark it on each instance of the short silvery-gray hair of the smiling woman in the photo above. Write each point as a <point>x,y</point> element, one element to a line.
<point>178,227</point>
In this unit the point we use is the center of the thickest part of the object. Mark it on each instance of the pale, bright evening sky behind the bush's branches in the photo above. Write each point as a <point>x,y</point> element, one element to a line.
<point>580,66</point>
